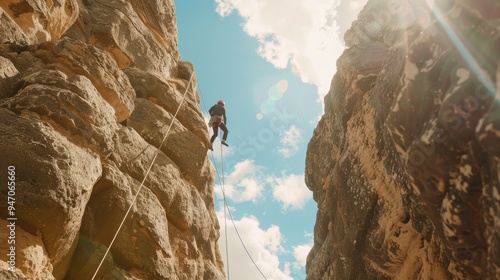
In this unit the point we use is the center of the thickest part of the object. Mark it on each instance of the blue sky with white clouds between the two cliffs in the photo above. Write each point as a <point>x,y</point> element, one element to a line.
<point>272,64</point>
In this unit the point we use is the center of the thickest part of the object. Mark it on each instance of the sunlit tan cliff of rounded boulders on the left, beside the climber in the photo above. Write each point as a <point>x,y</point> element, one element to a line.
<point>88,89</point>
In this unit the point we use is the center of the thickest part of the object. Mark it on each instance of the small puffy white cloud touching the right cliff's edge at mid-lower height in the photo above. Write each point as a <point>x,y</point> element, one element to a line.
<point>291,191</point>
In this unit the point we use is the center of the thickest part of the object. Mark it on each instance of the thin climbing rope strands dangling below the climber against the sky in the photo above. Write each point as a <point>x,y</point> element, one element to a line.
<point>226,207</point>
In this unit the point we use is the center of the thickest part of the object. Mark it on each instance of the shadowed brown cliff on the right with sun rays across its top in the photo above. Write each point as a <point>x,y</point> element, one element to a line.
<point>404,164</point>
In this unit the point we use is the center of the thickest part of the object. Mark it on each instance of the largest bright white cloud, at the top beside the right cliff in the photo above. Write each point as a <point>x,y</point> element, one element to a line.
<point>300,34</point>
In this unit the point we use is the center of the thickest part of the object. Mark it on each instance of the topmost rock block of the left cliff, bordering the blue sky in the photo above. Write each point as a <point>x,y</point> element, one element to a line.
<point>139,34</point>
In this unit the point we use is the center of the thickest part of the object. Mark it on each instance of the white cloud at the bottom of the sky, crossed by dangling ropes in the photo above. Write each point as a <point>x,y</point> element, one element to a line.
<point>263,245</point>
